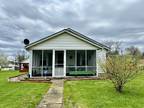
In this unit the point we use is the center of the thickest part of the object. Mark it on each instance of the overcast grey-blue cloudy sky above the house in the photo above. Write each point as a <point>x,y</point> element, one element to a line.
<point>118,20</point>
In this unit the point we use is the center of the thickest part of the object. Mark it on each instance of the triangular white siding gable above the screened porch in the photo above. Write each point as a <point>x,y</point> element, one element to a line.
<point>64,41</point>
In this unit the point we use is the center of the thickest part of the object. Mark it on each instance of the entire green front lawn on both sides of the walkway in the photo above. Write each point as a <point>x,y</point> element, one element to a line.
<point>77,94</point>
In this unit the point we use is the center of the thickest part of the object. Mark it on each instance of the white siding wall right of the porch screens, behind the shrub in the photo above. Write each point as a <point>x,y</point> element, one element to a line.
<point>101,58</point>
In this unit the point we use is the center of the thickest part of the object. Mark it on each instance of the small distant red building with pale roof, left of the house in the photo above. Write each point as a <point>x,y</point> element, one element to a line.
<point>24,65</point>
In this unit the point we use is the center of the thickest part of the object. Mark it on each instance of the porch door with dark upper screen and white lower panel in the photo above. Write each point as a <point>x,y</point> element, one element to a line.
<point>59,64</point>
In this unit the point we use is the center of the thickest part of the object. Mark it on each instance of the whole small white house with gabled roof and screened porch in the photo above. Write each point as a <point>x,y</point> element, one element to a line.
<point>66,53</point>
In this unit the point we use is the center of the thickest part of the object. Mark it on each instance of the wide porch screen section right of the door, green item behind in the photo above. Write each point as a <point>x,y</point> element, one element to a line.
<point>81,62</point>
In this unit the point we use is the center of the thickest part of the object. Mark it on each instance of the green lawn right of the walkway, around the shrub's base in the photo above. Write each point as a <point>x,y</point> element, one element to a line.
<point>101,94</point>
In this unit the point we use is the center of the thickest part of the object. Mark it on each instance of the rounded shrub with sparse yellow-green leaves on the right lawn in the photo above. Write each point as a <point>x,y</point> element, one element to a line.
<point>120,69</point>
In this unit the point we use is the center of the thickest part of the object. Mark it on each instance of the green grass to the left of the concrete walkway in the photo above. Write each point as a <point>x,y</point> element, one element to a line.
<point>20,95</point>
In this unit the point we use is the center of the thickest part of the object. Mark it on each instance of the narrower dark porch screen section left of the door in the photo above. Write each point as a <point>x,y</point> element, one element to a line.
<point>42,63</point>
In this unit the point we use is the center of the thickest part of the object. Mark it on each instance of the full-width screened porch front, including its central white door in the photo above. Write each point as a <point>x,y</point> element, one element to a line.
<point>74,62</point>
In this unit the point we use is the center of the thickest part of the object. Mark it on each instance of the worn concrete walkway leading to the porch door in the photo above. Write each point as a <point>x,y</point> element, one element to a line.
<point>54,96</point>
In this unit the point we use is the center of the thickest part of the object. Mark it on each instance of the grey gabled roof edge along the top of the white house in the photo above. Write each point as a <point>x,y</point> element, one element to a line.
<point>69,30</point>
